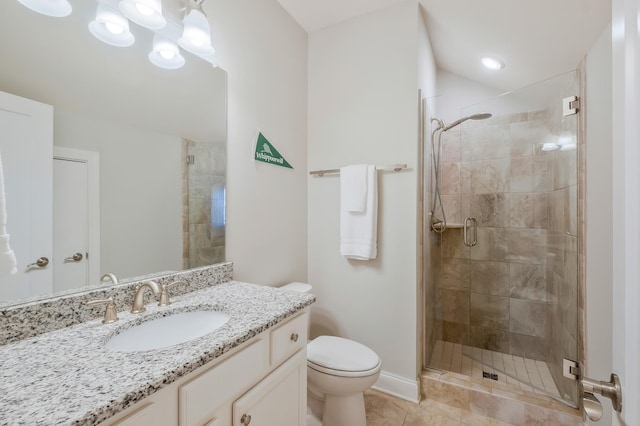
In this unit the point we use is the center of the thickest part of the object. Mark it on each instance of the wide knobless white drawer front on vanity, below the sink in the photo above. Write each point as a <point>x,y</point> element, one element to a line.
<point>202,397</point>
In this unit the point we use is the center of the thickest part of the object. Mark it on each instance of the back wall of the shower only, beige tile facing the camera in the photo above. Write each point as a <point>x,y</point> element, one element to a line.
<point>493,295</point>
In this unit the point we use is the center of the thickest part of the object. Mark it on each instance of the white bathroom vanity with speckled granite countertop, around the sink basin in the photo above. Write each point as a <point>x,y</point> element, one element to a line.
<point>250,370</point>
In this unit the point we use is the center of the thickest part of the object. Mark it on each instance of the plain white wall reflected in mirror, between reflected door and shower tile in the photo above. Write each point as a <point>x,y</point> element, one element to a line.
<point>140,192</point>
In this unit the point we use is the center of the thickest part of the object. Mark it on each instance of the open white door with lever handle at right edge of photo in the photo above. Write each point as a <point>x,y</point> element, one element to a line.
<point>626,206</point>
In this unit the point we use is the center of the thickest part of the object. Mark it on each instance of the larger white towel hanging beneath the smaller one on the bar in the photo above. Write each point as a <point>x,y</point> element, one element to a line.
<point>359,230</point>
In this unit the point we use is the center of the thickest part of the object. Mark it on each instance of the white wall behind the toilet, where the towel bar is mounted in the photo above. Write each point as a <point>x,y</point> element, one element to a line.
<point>363,108</point>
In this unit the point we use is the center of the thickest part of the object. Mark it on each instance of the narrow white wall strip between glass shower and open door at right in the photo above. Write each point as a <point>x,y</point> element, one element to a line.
<point>599,211</point>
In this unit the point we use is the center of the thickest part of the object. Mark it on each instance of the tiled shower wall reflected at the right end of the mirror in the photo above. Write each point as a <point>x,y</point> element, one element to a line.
<point>203,199</point>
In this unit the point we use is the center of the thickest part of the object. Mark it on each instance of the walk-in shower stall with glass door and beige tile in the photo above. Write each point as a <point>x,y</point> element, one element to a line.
<point>501,230</point>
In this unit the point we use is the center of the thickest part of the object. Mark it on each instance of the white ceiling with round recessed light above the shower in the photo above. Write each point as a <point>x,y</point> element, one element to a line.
<point>537,39</point>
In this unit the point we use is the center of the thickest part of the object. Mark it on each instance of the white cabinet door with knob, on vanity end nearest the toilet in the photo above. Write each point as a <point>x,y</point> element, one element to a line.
<point>280,399</point>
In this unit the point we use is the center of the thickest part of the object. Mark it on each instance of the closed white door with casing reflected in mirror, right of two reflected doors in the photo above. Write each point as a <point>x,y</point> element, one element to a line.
<point>76,254</point>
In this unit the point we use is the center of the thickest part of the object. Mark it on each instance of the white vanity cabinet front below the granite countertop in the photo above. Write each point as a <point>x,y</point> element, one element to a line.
<point>262,382</point>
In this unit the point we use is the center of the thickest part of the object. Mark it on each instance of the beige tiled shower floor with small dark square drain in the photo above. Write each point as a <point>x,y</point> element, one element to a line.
<point>512,371</point>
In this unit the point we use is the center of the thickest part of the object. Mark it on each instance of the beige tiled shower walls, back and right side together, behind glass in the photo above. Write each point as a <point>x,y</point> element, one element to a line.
<point>516,290</point>
